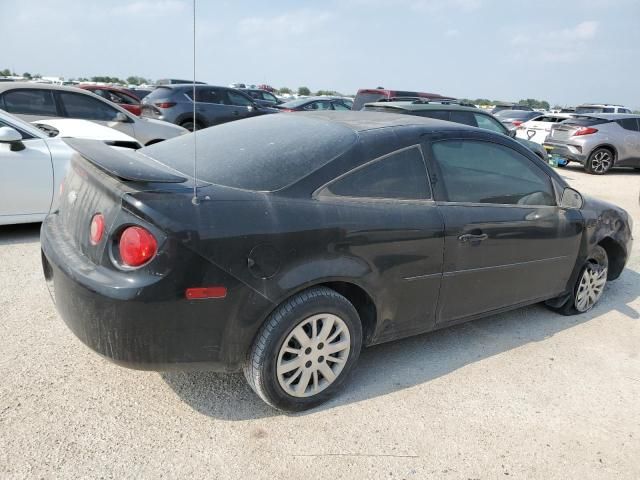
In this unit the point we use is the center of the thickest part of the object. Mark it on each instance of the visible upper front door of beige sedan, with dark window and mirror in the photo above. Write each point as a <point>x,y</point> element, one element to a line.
<point>86,106</point>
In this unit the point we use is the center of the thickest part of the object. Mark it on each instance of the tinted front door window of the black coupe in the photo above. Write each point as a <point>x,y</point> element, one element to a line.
<point>484,172</point>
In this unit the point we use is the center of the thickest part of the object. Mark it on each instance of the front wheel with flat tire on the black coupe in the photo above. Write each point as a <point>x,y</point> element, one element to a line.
<point>589,285</point>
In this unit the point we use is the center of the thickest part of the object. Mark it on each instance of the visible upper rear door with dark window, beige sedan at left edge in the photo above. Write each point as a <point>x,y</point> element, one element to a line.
<point>30,104</point>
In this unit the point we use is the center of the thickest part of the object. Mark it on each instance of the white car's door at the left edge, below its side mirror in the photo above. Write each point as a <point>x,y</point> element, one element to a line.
<point>26,182</point>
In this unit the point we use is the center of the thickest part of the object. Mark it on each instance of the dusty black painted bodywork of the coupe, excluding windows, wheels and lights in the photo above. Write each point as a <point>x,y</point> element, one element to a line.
<point>399,262</point>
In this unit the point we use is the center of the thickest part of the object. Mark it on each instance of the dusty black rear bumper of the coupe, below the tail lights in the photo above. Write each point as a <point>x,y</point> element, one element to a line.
<point>150,326</point>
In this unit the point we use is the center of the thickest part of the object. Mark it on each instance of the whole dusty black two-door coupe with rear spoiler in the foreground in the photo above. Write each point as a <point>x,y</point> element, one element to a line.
<point>310,236</point>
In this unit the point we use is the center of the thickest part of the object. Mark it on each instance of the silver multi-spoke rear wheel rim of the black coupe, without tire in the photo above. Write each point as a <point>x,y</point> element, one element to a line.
<point>313,355</point>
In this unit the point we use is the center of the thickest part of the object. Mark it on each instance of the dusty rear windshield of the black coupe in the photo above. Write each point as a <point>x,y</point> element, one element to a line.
<point>264,153</point>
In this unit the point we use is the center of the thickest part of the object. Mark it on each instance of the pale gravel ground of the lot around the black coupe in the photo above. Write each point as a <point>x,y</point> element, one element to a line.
<point>526,394</point>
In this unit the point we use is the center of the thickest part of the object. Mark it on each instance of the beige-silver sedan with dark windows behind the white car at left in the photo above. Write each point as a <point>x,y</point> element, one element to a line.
<point>32,102</point>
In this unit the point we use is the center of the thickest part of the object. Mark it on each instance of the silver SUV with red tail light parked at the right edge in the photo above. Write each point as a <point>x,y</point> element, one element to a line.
<point>597,141</point>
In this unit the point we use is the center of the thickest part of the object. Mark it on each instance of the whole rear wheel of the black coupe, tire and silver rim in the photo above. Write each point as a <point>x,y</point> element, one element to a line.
<point>288,350</point>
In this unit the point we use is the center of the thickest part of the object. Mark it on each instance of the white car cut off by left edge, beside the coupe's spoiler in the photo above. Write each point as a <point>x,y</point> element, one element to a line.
<point>33,164</point>
